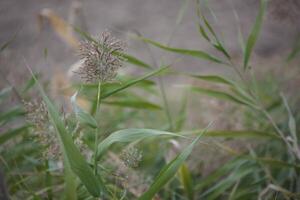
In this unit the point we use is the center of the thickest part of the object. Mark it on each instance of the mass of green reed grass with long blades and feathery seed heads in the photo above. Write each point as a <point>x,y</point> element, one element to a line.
<point>76,152</point>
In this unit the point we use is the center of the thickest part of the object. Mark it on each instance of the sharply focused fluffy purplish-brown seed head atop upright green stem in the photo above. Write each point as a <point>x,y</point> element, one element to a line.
<point>102,59</point>
